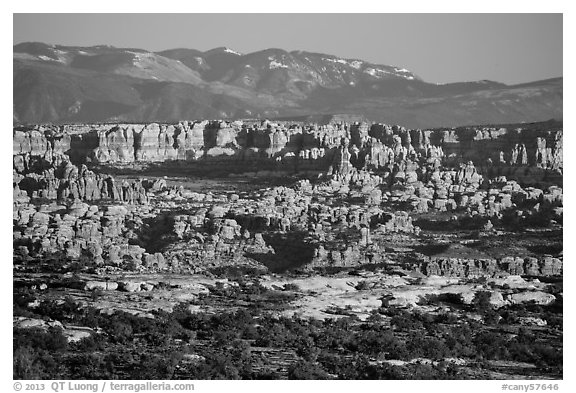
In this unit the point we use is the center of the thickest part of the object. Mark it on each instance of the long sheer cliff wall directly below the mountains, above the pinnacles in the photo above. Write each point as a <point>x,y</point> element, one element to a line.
<point>517,151</point>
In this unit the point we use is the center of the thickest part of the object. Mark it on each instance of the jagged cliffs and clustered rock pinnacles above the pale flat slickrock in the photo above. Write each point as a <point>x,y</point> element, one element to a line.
<point>378,184</point>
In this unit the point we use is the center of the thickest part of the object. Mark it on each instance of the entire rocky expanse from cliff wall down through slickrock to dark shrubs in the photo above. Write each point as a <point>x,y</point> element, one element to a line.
<point>343,219</point>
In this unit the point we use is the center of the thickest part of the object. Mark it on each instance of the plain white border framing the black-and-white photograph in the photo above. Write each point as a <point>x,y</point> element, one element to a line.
<point>301,6</point>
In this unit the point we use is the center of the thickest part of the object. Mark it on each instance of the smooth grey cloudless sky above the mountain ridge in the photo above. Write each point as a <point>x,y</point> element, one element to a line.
<point>509,48</point>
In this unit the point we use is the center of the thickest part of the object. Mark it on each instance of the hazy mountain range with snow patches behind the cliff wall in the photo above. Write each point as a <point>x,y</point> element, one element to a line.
<point>66,84</point>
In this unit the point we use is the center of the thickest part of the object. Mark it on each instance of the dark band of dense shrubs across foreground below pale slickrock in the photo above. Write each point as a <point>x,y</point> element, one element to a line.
<point>136,347</point>
